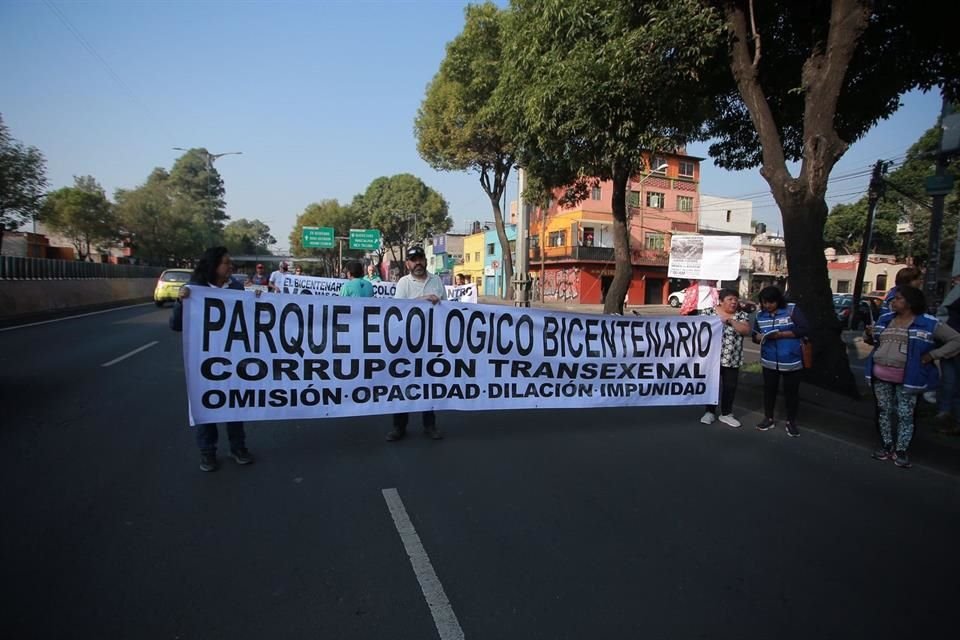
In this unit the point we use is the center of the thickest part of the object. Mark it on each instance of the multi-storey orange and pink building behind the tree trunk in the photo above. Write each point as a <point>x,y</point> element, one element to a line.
<point>571,248</point>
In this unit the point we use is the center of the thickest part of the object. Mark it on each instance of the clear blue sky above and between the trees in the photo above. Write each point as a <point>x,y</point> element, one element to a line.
<point>319,96</point>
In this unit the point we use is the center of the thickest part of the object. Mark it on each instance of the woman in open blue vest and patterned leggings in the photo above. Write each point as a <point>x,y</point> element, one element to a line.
<point>900,367</point>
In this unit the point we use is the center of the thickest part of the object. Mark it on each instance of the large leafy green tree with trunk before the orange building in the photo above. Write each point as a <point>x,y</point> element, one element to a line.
<point>597,85</point>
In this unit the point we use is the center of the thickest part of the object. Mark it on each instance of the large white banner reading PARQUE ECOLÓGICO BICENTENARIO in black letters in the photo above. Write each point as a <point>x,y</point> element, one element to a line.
<point>287,357</point>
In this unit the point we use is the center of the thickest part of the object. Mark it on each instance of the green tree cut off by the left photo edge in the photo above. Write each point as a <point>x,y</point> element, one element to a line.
<point>23,181</point>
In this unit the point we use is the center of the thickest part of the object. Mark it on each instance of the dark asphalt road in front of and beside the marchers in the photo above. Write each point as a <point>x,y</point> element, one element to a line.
<point>540,524</point>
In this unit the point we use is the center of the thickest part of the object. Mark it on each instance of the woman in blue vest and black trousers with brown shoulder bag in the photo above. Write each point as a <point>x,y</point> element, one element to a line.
<point>778,329</point>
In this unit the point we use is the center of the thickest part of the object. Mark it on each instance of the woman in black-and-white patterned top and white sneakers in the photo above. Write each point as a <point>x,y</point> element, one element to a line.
<point>735,325</point>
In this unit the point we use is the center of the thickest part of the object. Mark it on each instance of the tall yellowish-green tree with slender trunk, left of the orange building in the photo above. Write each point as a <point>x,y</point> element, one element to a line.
<point>461,123</point>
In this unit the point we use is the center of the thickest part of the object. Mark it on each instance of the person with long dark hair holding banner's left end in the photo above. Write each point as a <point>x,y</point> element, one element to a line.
<point>213,270</point>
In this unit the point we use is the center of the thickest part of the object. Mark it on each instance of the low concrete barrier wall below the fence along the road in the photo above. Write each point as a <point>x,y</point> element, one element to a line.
<point>32,297</point>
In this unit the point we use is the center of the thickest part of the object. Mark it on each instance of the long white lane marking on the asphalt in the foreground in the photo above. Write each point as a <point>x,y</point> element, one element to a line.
<point>443,616</point>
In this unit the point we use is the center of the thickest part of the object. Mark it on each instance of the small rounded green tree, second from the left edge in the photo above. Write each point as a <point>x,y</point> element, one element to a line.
<point>83,214</point>
